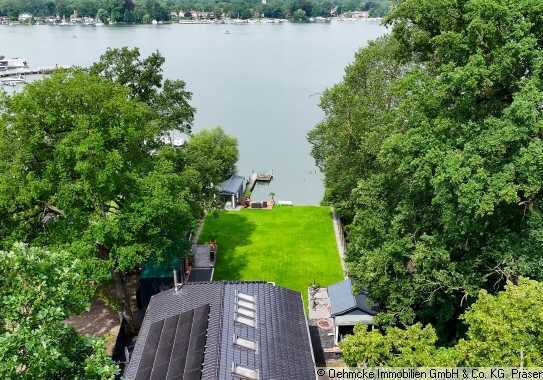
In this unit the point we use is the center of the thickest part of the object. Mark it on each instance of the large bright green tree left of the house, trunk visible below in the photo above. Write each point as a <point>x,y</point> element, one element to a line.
<point>82,169</point>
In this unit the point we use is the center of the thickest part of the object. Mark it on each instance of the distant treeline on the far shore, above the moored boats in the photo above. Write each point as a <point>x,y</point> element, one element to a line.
<point>144,11</point>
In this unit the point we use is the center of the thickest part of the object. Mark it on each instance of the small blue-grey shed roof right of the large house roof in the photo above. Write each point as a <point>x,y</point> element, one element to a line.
<point>343,300</point>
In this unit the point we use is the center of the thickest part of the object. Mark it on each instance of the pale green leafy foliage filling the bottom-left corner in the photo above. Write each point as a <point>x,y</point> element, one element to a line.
<point>39,289</point>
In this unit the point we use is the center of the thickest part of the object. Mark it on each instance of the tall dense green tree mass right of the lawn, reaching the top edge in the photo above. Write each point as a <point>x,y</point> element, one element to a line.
<point>431,150</point>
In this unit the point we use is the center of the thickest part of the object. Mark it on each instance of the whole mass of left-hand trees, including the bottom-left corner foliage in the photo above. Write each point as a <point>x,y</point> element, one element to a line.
<point>89,173</point>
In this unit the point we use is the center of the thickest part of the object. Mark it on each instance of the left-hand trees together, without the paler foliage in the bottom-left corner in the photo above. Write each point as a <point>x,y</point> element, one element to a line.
<point>87,165</point>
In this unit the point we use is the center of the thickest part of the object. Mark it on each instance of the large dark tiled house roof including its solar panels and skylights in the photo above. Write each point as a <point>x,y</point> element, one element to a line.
<point>279,334</point>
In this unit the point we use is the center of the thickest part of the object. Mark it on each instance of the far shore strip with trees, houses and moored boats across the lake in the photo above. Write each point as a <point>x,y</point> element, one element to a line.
<point>98,12</point>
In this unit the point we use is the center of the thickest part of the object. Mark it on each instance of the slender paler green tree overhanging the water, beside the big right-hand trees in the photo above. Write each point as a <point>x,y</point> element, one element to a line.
<point>358,115</point>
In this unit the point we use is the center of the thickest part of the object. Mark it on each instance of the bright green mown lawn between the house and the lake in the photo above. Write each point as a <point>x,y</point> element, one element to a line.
<point>291,246</point>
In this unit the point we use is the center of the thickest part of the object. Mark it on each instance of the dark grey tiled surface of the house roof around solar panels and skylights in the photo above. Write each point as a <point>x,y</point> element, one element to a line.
<point>280,332</point>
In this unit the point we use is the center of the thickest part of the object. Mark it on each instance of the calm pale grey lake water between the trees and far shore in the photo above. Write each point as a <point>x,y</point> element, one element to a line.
<point>261,82</point>
